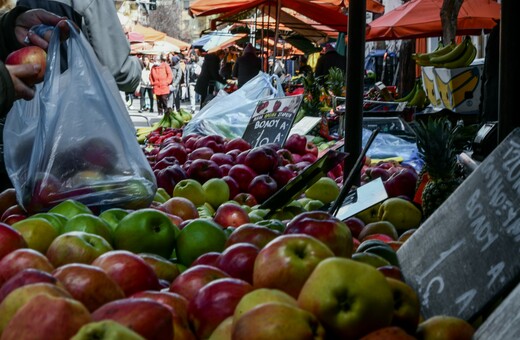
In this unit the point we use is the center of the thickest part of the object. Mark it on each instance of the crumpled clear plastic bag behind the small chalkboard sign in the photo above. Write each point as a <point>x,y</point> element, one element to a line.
<point>228,114</point>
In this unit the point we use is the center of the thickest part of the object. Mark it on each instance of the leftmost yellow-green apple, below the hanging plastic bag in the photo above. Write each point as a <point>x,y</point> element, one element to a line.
<point>37,232</point>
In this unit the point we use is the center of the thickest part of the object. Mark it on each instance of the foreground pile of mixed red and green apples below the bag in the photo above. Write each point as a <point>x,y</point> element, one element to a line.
<point>148,273</point>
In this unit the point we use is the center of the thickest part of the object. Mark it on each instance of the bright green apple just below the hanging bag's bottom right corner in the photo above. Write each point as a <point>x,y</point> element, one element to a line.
<point>146,231</point>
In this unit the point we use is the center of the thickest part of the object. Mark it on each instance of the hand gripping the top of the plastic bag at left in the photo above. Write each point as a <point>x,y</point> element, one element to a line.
<point>27,20</point>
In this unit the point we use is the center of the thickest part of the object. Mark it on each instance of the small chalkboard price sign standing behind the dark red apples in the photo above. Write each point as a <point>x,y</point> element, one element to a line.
<point>272,120</point>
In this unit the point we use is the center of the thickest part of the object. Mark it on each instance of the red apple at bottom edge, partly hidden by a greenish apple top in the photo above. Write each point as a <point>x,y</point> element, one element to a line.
<point>149,318</point>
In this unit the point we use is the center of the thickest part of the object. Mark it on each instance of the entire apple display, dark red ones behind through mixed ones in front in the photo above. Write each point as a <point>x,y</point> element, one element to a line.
<point>203,261</point>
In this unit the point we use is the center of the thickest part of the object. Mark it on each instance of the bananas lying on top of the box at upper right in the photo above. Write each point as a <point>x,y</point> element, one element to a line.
<point>449,56</point>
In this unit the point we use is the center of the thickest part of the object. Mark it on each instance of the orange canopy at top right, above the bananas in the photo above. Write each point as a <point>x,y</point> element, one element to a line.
<point>421,19</point>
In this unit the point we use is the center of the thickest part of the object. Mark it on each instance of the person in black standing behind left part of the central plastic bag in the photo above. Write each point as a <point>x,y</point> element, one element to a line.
<point>209,75</point>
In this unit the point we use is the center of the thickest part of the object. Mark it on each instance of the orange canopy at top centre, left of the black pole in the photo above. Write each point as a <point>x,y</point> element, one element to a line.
<point>321,13</point>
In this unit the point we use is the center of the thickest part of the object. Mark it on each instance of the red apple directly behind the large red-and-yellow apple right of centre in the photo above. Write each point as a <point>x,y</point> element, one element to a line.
<point>326,228</point>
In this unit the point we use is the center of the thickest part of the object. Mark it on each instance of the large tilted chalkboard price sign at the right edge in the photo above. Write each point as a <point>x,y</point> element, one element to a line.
<point>465,256</point>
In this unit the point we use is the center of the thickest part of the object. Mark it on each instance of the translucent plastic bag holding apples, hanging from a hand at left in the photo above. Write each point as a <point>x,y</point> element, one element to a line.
<point>75,139</point>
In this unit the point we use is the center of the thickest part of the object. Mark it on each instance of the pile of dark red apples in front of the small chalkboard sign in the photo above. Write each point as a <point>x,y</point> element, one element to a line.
<point>253,174</point>
